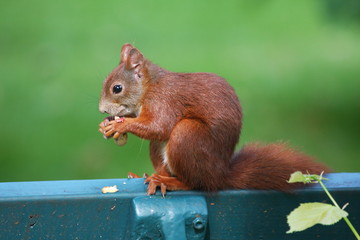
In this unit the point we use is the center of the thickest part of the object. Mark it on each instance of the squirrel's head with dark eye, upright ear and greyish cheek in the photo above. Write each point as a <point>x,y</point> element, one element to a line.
<point>124,87</point>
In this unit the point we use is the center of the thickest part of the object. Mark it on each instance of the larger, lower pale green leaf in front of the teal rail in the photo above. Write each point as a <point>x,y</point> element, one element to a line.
<point>309,214</point>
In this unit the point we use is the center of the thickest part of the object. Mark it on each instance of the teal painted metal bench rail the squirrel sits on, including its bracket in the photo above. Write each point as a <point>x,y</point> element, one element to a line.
<point>79,210</point>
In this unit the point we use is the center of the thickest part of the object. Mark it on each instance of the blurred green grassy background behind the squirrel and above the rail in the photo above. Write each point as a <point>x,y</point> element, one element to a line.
<point>294,65</point>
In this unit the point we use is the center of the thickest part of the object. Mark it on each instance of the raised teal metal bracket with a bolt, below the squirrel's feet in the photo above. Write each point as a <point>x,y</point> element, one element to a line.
<point>181,217</point>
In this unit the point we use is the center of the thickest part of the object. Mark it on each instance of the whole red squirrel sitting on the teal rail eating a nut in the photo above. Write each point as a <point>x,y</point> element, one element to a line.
<point>193,122</point>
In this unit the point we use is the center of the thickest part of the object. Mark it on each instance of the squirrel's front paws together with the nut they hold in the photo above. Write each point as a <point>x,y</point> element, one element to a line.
<point>109,128</point>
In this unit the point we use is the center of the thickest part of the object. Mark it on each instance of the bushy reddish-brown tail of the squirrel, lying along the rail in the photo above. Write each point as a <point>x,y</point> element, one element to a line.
<point>259,166</point>
